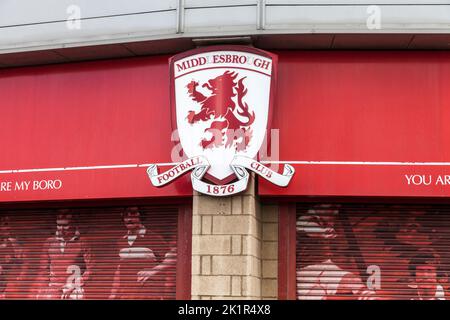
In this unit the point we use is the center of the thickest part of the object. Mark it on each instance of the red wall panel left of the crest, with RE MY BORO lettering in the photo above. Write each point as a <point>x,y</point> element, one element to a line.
<point>94,114</point>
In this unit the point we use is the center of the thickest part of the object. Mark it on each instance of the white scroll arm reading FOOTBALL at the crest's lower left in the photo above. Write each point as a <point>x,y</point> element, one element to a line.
<point>159,180</point>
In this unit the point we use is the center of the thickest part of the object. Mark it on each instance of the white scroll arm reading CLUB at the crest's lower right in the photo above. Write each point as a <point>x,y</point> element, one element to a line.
<point>276,178</point>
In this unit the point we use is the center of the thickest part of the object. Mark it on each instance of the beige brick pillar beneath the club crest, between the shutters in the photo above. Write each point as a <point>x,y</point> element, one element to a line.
<point>234,249</point>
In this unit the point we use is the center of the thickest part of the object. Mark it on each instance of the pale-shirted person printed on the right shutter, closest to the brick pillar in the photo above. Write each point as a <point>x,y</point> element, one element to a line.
<point>322,278</point>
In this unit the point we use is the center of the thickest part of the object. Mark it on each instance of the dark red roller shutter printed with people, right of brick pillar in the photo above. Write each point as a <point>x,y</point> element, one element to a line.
<point>372,252</point>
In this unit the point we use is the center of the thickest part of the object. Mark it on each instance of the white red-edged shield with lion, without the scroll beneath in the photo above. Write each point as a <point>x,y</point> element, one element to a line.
<point>221,101</point>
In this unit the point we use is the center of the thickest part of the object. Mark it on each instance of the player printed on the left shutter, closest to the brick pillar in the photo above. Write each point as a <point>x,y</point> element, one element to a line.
<point>142,257</point>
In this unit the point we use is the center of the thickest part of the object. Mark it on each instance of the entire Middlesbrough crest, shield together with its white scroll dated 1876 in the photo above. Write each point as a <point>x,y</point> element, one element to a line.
<point>221,100</point>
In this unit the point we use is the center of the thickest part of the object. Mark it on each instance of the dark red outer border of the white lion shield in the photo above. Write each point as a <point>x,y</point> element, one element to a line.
<point>273,87</point>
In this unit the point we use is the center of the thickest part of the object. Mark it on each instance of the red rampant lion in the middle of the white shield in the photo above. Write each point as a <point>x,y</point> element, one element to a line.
<point>220,106</point>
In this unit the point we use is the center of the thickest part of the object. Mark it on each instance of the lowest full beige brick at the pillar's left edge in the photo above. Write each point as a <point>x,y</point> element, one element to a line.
<point>211,285</point>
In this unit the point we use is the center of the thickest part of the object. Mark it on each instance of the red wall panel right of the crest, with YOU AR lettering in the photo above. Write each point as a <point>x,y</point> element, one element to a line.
<point>338,108</point>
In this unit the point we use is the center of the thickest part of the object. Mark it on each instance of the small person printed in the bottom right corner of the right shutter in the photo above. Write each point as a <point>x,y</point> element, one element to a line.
<point>424,269</point>
